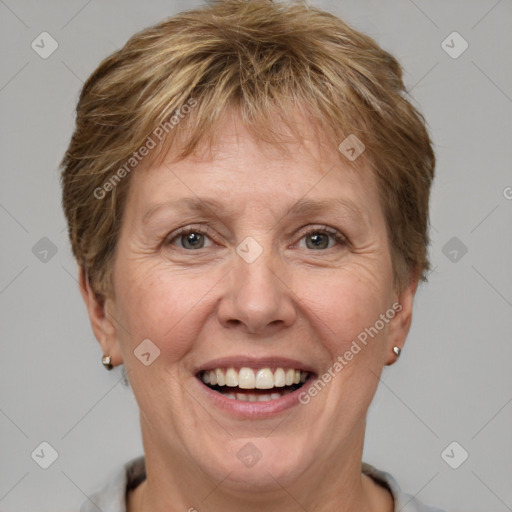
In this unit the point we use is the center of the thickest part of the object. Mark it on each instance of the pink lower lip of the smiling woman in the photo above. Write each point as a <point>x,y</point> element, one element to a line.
<point>254,410</point>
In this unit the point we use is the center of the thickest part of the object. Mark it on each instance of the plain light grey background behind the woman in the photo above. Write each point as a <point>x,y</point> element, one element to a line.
<point>453,381</point>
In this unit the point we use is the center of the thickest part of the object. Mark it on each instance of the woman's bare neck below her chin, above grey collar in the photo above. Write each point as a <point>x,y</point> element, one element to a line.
<point>176,482</point>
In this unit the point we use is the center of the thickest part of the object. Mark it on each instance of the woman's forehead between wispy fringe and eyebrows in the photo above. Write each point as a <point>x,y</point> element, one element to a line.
<point>237,167</point>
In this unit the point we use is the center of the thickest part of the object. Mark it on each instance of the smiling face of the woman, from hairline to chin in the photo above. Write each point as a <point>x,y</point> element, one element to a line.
<point>250,266</point>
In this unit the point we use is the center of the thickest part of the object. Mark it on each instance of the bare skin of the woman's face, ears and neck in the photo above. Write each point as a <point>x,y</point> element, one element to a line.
<point>293,301</point>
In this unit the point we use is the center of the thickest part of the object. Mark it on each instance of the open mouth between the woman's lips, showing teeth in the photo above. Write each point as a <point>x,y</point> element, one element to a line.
<point>248,384</point>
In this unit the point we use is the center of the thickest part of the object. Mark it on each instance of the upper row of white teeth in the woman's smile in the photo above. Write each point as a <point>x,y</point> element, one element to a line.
<point>247,378</point>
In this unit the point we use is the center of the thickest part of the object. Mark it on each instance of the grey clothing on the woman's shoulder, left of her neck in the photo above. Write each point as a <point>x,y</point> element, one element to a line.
<point>112,496</point>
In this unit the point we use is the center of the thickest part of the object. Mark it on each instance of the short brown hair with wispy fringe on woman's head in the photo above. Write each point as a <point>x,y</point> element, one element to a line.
<point>266,59</point>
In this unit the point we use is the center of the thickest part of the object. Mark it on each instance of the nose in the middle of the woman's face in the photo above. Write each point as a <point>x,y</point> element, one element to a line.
<point>257,299</point>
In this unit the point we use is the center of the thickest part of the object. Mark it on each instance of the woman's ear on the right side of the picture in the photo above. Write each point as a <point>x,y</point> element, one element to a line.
<point>401,323</point>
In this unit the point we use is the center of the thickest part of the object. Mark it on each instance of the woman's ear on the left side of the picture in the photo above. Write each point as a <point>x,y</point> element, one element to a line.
<point>102,322</point>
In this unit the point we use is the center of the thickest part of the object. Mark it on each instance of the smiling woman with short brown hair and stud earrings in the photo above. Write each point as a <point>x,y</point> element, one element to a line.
<point>247,196</point>
